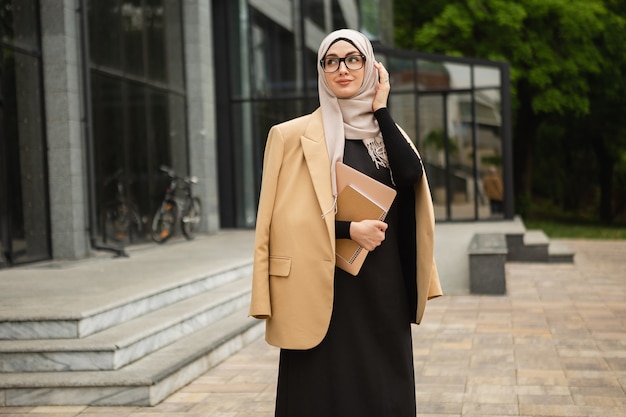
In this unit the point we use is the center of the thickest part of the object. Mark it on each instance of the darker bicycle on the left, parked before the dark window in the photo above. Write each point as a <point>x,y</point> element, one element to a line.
<point>119,218</point>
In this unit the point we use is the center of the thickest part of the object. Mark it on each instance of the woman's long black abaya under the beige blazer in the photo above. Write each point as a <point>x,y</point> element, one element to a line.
<point>364,365</point>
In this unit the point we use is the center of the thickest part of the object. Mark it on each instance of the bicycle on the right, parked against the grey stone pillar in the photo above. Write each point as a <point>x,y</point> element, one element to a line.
<point>174,208</point>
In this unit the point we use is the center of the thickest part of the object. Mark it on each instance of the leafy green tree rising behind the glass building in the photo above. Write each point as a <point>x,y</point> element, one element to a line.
<point>556,49</point>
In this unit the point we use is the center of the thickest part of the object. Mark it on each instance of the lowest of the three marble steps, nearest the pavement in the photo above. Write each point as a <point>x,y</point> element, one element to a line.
<point>145,382</point>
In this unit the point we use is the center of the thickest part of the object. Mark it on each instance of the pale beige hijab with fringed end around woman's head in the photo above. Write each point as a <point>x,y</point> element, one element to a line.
<point>351,118</point>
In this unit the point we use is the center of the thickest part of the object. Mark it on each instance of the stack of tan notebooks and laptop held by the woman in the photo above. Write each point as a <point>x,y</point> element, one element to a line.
<point>359,198</point>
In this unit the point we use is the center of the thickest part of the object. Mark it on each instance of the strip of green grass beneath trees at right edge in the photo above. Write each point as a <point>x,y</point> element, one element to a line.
<point>576,230</point>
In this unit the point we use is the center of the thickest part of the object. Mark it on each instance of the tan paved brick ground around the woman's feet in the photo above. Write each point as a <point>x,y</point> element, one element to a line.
<point>554,346</point>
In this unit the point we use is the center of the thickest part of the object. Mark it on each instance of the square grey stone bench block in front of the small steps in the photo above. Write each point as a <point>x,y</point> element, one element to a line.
<point>487,258</point>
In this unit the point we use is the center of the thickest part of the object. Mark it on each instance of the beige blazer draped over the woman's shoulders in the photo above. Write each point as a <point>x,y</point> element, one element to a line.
<point>294,248</point>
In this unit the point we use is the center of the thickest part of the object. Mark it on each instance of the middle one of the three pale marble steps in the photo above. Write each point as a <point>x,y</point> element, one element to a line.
<point>117,346</point>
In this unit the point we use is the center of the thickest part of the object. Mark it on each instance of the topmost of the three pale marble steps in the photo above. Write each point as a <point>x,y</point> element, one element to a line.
<point>79,324</point>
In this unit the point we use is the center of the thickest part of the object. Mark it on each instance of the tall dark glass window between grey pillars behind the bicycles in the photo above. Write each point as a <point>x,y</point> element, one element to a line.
<point>138,101</point>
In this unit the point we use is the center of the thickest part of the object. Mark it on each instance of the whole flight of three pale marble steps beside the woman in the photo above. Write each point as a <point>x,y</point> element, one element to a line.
<point>137,351</point>
